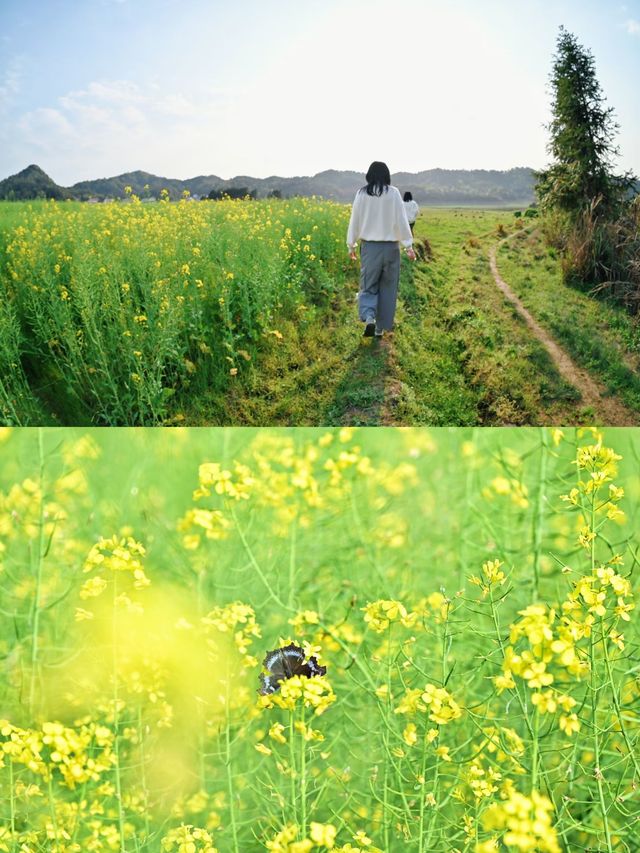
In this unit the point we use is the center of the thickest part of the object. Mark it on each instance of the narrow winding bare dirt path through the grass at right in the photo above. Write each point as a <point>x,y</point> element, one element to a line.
<point>607,409</point>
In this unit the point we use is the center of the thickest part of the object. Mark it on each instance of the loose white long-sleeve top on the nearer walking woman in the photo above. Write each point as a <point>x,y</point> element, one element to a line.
<point>379,218</point>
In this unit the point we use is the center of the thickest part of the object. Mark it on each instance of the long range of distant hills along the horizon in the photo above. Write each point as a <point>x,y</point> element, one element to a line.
<point>477,187</point>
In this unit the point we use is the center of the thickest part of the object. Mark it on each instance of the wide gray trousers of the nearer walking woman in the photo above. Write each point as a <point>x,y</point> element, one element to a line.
<point>379,277</point>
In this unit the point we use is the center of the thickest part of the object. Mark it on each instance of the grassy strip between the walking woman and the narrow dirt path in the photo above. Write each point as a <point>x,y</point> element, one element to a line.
<point>471,359</point>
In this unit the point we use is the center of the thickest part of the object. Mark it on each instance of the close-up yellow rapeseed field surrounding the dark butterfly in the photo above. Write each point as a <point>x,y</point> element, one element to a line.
<point>472,602</point>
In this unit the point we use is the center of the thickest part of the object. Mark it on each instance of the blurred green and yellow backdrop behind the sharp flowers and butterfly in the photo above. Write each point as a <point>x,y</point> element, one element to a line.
<point>311,525</point>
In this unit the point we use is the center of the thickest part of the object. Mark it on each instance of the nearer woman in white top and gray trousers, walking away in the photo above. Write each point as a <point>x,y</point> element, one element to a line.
<point>379,221</point>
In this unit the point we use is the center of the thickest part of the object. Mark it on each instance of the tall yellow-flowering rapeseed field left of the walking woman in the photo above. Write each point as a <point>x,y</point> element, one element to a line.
<point>110,313</point>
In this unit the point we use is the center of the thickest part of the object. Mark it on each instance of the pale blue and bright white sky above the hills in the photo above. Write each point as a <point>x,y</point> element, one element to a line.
<point>92,88</point>
